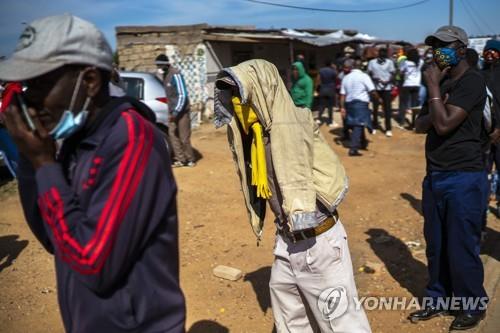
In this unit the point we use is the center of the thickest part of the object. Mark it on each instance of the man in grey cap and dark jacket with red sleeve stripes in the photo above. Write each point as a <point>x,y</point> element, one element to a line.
<point>90,176</point>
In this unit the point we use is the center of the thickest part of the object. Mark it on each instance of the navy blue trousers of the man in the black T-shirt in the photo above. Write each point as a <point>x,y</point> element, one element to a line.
<point>453,204</point>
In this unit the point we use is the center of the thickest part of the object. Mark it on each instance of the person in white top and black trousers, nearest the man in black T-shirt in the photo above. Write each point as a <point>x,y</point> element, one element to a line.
<point>411,69</point>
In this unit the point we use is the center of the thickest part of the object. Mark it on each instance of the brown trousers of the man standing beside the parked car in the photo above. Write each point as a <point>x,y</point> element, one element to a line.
<point>179,132</point>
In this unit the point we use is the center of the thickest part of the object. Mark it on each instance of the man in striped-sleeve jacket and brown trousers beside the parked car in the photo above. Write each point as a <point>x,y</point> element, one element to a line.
<point>179,127</point>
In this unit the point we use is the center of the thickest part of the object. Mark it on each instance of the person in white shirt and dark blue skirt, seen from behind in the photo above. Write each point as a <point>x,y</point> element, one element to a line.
<point>355,93</point>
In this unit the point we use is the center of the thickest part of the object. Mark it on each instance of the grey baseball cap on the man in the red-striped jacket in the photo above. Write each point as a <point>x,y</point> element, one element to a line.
<point>51,42</point>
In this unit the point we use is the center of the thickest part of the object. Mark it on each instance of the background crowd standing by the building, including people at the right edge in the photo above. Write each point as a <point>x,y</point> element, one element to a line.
<point>397,87</point>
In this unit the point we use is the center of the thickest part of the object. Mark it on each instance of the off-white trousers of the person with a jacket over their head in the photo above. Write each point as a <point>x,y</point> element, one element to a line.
<point>317,274</point>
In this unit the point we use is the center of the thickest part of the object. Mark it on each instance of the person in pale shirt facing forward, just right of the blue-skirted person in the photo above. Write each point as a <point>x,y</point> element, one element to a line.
<point>382,71</point>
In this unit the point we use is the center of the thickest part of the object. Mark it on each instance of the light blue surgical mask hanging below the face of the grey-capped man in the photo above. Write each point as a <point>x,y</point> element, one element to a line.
<point>69,123</point>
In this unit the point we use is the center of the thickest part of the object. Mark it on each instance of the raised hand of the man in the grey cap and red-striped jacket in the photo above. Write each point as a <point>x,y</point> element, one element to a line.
<point>38,146</point>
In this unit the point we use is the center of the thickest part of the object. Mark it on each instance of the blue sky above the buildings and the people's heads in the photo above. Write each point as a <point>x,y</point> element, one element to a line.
<point>411,24</point>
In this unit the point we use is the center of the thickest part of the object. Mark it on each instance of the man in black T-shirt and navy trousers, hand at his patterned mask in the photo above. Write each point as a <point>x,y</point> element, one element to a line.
<point>456,185</point>
